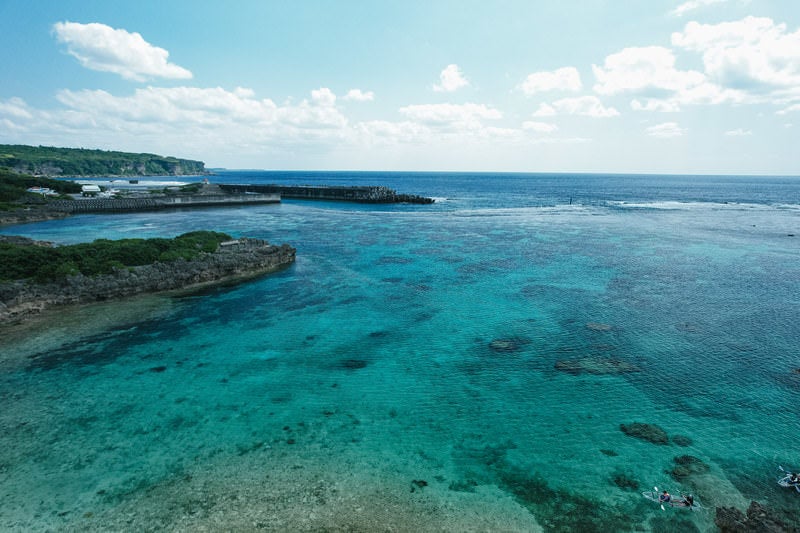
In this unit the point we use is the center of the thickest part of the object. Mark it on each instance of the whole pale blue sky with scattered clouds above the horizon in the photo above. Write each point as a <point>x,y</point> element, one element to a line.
<point>645,86</point>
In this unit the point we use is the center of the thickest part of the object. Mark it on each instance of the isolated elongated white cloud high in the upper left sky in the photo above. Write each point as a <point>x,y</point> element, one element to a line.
<point>100,47</point>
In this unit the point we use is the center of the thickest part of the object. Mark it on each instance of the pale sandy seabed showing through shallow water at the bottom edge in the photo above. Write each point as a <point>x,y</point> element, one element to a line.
<point>287,490</point>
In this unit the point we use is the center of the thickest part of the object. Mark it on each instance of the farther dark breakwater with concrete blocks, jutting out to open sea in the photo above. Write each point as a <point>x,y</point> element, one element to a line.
<point>360,194</point>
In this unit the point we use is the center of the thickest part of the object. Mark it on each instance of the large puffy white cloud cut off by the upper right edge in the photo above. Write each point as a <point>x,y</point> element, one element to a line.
<point>753,55</point>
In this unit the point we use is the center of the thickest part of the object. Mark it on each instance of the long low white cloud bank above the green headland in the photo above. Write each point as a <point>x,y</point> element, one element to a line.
<point>180,116</point>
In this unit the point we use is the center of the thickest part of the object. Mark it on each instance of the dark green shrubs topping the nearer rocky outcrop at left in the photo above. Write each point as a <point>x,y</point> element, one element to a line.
<point>44,264</point>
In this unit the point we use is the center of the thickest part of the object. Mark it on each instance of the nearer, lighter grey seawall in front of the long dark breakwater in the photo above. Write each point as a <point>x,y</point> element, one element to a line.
<point>111,205</point>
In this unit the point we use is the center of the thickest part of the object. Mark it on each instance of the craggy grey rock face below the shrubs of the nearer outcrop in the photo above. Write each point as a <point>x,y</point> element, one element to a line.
<point>238,259</point>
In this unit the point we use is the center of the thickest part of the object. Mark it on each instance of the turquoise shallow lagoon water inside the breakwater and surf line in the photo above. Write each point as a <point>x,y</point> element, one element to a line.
<point>446,344</point>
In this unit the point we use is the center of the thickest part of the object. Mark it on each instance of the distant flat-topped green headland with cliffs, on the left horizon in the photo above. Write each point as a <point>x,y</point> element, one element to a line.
<point>50,161</point>
